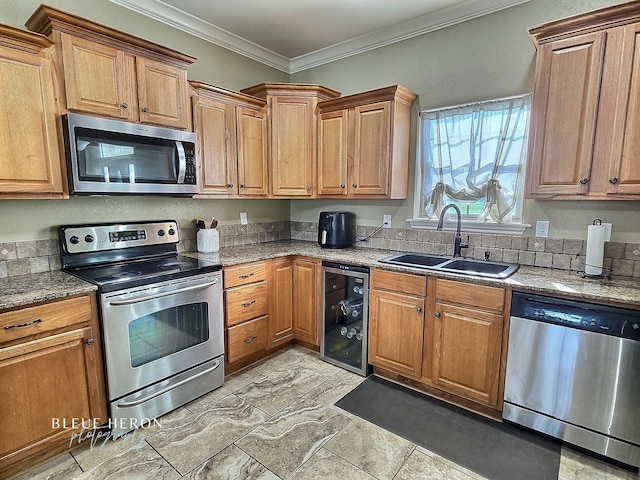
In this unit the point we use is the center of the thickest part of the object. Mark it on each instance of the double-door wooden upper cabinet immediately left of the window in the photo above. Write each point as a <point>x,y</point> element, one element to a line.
<point>364,144</point>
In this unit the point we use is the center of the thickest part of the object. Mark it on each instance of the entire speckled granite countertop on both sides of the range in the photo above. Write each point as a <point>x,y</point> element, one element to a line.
<point>40,287</point>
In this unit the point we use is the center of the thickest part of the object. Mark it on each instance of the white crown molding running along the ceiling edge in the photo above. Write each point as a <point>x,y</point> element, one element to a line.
<point>458,13</point>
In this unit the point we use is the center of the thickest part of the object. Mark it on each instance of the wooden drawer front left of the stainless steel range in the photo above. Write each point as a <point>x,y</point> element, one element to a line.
<point>43,318</point>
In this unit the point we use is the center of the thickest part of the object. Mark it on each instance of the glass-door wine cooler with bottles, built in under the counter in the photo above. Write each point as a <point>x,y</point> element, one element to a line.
<point>345,305</point>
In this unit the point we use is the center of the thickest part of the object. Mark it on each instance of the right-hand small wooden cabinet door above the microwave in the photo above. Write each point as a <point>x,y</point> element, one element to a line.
<point>162,94</point>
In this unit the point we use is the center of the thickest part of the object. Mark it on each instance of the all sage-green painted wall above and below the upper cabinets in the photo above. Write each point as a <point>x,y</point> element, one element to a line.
<point>485,58</point>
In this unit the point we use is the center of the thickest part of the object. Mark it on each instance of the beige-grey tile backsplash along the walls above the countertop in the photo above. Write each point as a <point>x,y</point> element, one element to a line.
<point>623,259</point>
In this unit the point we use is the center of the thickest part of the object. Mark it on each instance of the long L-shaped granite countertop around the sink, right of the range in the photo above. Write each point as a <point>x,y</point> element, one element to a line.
<point>620,290</point>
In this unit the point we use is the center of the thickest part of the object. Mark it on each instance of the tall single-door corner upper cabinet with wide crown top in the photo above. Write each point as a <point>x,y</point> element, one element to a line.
<point>291,109</point>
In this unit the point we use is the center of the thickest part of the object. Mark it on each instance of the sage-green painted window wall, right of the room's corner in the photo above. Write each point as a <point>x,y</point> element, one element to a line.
<point>489,57</point>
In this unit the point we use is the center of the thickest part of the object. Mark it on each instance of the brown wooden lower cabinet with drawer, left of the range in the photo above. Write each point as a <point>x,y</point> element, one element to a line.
<point>51,378</point>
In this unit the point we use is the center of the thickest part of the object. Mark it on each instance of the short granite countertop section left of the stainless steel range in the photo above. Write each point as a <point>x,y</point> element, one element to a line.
<point>40,287</point>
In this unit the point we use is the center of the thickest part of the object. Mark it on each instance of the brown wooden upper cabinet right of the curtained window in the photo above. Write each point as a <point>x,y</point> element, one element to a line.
<point>584,140</point>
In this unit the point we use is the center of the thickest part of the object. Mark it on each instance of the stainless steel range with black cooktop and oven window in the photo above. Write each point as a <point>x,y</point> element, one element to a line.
<point>161,316</point>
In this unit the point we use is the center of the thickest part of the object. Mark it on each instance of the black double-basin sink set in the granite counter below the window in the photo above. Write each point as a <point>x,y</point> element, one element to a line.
<point>461,266</point>
